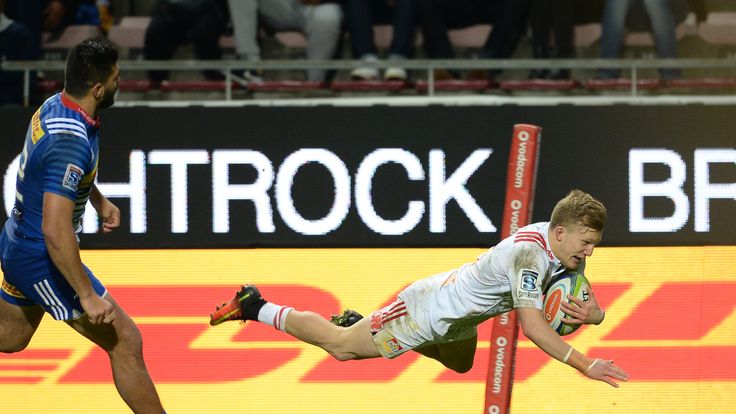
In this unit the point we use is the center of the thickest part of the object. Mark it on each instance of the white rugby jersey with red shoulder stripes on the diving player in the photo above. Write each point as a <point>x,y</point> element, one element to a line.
<point>510,275</point>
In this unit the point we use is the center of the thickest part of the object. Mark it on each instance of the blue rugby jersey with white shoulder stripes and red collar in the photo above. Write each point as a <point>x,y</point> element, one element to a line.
<point>60,156</point>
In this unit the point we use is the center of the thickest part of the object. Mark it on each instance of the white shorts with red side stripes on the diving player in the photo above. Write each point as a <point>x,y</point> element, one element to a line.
<point>395,331</point>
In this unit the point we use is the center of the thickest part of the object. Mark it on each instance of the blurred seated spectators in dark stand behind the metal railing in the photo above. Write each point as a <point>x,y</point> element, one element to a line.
<point>364,30</point>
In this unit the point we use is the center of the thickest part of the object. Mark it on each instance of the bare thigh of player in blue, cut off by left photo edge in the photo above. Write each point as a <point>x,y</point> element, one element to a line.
<point>17,325</point>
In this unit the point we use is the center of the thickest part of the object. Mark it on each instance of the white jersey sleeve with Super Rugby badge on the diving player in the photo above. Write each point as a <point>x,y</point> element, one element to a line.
<point>527,269</point>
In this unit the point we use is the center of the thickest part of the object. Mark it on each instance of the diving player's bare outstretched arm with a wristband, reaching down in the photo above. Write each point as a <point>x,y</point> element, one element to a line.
<point>538,331</point>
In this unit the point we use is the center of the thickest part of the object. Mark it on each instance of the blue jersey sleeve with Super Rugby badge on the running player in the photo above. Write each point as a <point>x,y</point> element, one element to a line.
<point>64,164</point>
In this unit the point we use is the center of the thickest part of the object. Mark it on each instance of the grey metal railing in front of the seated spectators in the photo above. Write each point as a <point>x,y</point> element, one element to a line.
<point>634,66</point>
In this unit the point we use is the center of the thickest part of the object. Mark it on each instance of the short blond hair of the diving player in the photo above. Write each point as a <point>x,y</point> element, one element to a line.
<point>579,208</point>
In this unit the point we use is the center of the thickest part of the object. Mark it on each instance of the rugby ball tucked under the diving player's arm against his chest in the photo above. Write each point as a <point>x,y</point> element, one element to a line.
<point>572,283</point>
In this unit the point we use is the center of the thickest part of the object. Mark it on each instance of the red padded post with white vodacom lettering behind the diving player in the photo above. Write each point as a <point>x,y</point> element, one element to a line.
<point>517,212</point>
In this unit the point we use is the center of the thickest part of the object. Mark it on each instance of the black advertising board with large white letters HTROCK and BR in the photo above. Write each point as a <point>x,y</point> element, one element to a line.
<point>376,176</point>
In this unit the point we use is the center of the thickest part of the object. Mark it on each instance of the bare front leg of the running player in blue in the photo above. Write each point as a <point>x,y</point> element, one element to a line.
<point>123,343</point>
